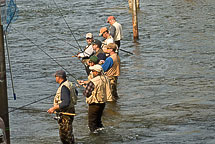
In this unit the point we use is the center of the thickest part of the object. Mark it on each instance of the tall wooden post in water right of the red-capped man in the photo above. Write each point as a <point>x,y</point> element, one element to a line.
<point>134,20</point>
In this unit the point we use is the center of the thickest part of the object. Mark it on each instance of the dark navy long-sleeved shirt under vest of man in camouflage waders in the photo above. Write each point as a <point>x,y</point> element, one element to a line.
<point>65,97</point>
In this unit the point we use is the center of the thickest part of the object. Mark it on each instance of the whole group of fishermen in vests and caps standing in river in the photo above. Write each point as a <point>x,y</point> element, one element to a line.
<point>102,65</point>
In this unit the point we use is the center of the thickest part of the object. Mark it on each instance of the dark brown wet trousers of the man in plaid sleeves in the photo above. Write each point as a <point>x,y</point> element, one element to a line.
<point>94,116</point>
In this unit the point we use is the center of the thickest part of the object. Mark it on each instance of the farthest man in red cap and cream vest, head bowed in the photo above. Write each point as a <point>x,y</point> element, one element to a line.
<point>115,30</point>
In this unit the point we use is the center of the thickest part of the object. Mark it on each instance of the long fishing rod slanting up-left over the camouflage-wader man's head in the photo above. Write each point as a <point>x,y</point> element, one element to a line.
<point>46,54</point>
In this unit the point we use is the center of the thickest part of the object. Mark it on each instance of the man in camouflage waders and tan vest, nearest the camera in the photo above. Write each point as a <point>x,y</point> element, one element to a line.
<point>64,101</point>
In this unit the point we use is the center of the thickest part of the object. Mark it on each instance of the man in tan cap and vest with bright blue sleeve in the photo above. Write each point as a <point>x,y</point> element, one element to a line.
<point>111,67</point>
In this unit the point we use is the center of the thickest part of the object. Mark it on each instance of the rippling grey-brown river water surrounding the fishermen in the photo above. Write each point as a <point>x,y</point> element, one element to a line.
<point>166,88</point>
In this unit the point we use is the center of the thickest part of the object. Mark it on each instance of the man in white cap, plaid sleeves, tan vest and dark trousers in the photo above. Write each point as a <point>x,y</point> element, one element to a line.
<point>96,97</point>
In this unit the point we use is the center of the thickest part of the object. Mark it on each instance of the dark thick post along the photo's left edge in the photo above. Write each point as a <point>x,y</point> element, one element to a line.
<point>3,86</point>
